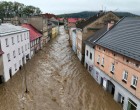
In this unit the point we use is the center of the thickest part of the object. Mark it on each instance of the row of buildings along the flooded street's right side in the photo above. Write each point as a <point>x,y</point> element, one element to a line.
<point>109,48</point>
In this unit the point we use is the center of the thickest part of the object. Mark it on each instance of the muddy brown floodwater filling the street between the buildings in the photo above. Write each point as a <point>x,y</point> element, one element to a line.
<point>56,80</point>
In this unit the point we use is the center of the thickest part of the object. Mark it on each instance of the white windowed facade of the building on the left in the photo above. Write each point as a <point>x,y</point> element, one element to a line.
<point>11,48</point>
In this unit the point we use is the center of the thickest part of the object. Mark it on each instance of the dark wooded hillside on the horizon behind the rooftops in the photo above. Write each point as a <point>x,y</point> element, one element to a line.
<point>87,14</point>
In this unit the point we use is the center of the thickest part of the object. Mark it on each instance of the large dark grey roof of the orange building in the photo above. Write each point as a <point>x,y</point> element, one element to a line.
<point>124,38</point>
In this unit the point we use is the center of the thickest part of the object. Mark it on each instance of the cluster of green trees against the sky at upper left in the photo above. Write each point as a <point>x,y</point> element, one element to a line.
<point>11,9</point>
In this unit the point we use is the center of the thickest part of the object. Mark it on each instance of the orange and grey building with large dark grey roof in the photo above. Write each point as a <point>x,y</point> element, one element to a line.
<point>117,62</point>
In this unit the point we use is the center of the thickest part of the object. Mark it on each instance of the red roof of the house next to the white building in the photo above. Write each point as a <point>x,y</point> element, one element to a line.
<point>34,34</point>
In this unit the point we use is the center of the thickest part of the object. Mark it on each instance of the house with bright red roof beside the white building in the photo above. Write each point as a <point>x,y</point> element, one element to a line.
<point>35,38</point>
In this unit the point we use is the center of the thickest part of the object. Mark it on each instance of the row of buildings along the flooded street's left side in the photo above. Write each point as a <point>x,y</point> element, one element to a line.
<point>21,38</point>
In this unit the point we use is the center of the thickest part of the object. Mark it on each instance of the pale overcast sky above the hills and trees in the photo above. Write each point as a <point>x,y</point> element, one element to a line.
<point>72,6</point>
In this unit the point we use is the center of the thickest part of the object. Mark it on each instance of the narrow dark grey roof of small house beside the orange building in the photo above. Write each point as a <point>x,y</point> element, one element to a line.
<point>92,39</point>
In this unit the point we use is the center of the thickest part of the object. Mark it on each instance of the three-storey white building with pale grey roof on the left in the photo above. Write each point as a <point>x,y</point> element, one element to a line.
<point>15,44</point>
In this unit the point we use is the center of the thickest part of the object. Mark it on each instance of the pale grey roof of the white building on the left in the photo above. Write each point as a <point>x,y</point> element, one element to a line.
<point>7,28</point>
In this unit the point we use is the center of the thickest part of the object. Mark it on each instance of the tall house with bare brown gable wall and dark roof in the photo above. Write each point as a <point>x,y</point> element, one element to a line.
<point>89,27</point>
